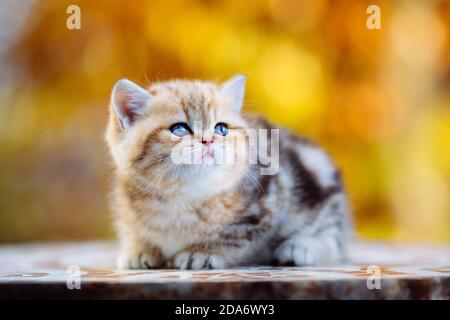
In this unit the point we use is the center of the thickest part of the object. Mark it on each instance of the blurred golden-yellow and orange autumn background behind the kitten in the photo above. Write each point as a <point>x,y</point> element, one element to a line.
<point>377,100</point>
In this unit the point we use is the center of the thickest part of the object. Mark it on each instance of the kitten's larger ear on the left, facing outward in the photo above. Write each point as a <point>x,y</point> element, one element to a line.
<point>128,100</point>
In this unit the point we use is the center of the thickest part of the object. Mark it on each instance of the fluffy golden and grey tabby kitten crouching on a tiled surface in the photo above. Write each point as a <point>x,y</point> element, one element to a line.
<point>210,215</point>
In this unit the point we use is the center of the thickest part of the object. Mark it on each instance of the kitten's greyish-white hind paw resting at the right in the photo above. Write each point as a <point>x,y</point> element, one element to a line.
<point>307,252</point>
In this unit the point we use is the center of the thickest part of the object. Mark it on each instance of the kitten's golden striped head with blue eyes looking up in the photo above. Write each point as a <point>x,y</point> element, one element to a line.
<point>178,132</point>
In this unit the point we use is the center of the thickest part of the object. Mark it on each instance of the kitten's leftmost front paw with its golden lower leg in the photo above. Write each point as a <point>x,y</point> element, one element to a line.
<point>137,254</point>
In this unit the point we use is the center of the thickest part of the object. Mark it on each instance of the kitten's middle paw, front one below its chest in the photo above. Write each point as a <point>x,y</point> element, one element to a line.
<point>197,260</point>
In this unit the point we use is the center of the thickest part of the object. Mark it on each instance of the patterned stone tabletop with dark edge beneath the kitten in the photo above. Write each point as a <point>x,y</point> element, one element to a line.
<point>43,271</point>
